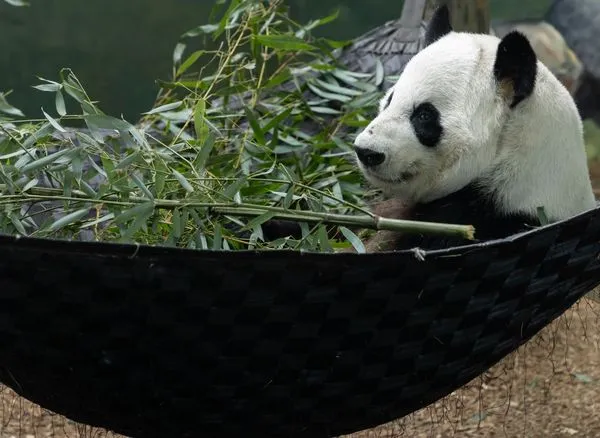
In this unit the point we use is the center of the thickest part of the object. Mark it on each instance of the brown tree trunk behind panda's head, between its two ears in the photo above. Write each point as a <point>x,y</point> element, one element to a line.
<point>466,15</point>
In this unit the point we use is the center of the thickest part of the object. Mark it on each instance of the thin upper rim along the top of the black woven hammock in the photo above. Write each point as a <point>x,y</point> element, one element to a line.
<point>135,250</point>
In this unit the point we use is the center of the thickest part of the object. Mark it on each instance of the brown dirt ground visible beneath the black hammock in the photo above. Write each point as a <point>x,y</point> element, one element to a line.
<point>547,388</point>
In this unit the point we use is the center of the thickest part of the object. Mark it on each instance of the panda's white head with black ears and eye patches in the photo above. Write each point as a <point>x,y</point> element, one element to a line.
<point>440,126</point>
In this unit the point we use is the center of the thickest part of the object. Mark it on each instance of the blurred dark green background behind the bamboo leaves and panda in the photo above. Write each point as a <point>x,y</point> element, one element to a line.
<point>118,48</point>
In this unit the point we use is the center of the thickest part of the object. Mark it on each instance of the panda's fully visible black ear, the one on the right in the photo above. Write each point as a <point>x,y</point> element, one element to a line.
<point>515,67</point>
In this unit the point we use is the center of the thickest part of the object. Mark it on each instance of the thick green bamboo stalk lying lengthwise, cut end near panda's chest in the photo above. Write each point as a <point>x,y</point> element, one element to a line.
<point>372,221</point>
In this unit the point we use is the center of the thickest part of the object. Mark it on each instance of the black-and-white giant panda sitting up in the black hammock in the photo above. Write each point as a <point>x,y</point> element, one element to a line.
<point>476,130</point>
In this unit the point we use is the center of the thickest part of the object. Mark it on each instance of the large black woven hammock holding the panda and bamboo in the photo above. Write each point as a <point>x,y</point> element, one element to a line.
<point>155,342</point>
